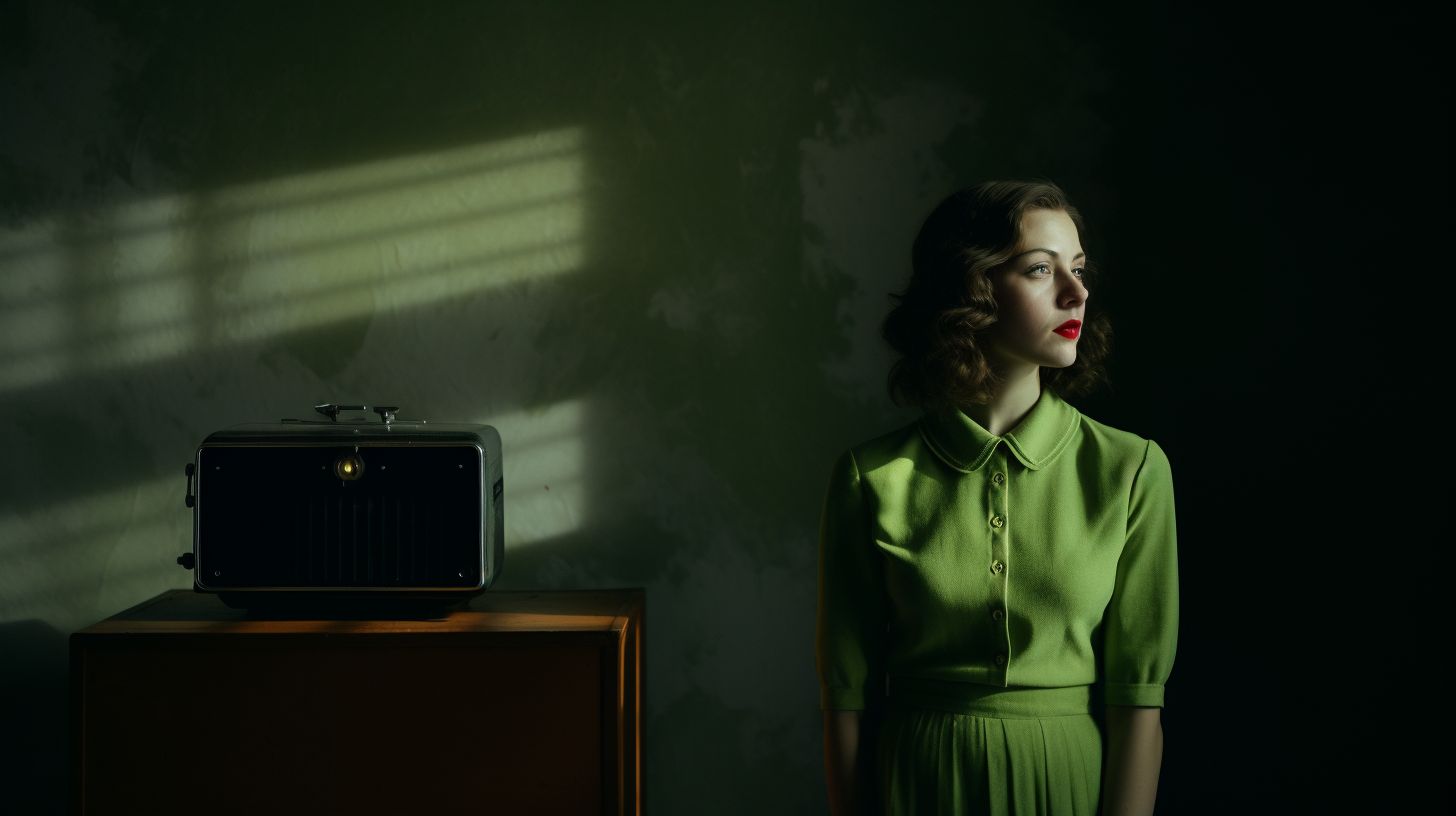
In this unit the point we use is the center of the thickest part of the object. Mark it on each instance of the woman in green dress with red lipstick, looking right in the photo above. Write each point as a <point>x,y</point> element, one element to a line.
<point>998,572</point>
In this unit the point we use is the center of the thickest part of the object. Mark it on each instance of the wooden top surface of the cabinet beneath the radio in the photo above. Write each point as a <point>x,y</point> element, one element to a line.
<point>191,613</point>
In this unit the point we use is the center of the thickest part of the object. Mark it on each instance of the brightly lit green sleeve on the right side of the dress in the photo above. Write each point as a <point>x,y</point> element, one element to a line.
<point>1142,619</point>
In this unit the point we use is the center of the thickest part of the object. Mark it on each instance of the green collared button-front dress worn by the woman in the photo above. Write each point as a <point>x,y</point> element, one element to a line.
<point>985,592</point>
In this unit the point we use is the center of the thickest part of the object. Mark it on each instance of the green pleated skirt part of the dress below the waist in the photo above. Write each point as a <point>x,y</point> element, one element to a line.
<point>962,750</point>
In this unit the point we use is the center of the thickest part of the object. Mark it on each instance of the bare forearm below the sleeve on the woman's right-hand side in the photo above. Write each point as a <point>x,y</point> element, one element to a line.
<point>1135,758</point>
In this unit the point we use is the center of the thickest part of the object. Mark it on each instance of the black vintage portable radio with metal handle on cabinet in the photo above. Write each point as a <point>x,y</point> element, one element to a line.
<point>347,508</point>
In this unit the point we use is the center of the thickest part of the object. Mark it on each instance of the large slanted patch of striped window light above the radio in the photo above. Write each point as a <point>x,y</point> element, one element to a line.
<point>178,275</point>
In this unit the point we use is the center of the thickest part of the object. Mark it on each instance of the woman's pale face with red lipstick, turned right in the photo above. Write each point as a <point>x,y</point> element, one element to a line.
<point>1037,294</point>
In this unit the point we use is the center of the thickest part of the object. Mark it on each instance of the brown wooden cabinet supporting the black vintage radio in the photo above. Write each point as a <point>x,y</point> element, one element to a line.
<point>519,703</point>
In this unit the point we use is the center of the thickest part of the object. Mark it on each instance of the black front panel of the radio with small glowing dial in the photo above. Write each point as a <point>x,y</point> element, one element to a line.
<point>340,518</point>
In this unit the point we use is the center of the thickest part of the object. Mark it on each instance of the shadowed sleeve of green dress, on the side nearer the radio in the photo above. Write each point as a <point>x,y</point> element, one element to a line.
<point>851,630</point>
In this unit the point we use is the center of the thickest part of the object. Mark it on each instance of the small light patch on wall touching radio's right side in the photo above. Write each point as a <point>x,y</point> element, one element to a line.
<point>542,452</point>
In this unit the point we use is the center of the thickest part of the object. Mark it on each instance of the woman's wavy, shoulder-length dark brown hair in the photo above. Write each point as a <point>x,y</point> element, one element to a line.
<point>938,320</point>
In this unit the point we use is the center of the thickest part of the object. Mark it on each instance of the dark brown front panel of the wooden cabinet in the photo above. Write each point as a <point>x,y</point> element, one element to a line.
<point>346,725</point>
